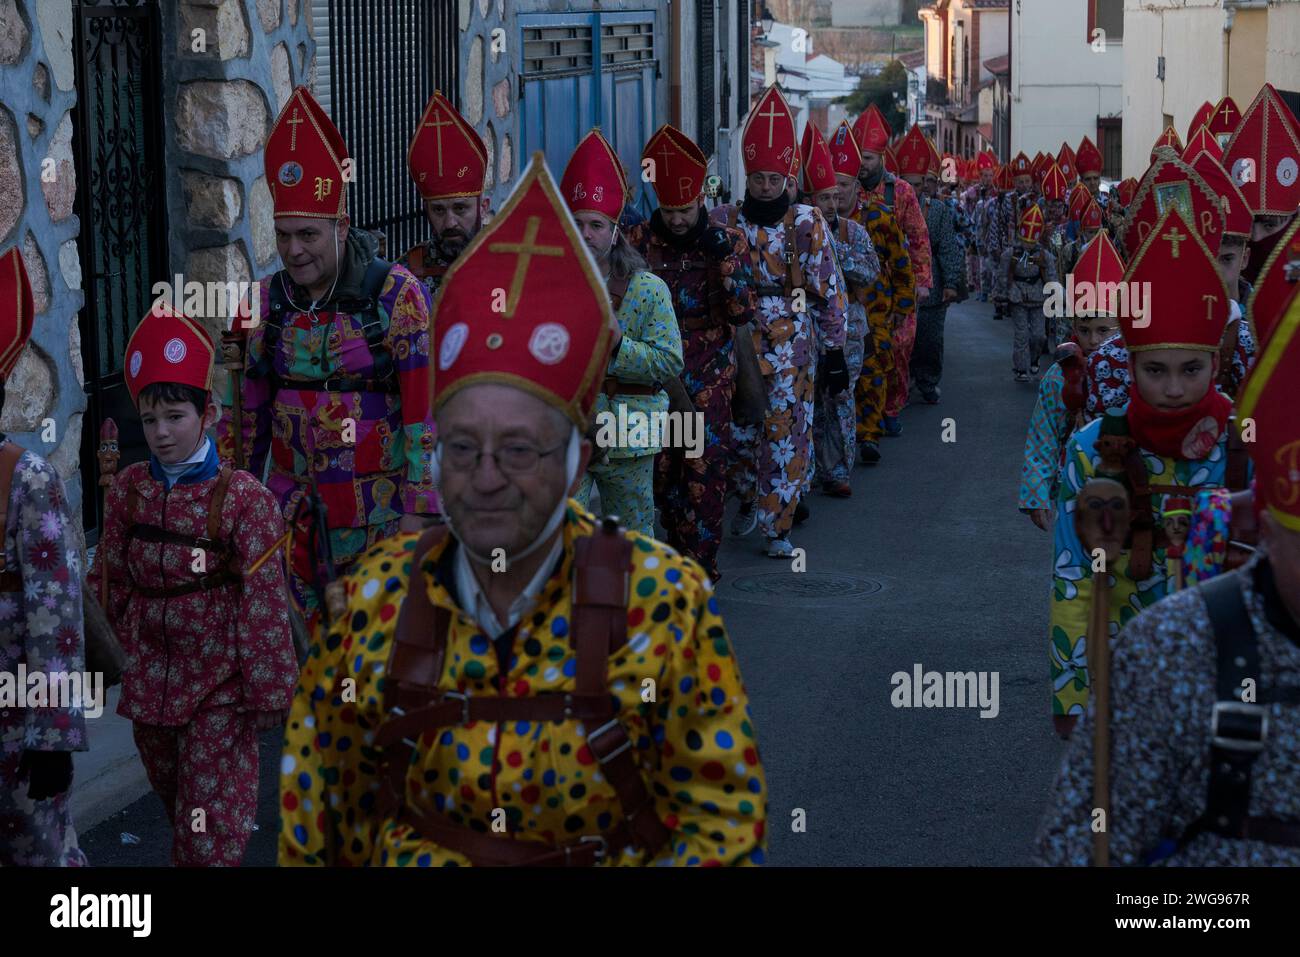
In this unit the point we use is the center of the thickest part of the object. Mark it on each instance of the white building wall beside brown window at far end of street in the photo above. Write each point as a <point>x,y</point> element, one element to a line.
<point>1060,85</point>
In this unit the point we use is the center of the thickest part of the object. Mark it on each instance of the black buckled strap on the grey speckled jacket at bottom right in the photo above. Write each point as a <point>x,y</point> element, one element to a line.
<point>1238,730</point>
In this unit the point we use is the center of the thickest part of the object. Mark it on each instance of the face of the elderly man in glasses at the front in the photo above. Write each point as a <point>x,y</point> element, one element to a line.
<point>488,508</point>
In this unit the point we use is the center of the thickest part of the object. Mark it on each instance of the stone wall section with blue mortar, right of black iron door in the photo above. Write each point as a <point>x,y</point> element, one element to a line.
<point>229,68</point>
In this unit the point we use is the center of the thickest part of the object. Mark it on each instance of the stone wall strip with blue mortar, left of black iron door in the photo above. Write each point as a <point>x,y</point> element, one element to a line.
<point>38,190</point>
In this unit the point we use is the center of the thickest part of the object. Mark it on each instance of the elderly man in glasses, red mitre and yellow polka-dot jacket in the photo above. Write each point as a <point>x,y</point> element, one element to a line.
<point>525,686</point>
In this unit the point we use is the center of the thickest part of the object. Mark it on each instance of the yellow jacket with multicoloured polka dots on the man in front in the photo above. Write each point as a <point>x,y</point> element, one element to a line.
<point>683,705</point>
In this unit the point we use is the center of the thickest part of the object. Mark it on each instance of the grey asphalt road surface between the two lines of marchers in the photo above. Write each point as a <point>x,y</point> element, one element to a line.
<point>929,564</point>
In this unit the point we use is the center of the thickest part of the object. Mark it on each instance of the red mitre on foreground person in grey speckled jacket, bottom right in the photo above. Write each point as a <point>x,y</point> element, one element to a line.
<point>1271,397</point>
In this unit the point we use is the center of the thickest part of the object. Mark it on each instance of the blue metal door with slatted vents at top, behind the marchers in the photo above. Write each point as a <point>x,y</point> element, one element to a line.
<point>580,71</point>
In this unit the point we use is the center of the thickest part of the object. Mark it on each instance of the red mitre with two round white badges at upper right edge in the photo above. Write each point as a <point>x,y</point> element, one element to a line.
<point>1264,157</point>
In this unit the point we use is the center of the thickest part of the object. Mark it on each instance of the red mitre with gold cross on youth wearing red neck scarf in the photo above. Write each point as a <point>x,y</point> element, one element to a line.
<point>1189,306</point>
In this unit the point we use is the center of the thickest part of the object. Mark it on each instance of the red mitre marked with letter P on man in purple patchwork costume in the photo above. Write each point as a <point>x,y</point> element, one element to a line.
<point>305,162</point>
